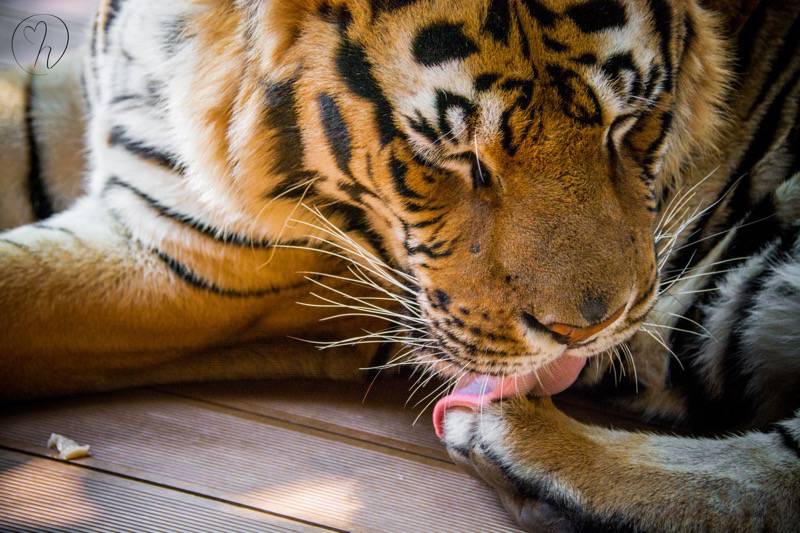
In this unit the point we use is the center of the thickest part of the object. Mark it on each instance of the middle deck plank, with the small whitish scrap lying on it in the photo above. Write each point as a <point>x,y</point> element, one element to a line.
<point>285,469</point>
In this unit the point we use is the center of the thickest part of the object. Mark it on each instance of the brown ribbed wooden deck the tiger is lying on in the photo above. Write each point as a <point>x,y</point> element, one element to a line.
<point>279,456</point>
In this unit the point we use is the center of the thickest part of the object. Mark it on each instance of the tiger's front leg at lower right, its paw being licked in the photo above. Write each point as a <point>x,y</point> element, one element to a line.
<point>556,474</point>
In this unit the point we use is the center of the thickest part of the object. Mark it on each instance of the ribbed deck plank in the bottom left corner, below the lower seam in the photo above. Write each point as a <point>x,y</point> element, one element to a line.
<point>39,494</point>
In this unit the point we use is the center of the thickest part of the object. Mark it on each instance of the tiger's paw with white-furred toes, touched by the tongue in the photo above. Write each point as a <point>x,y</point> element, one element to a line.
<point>483,441</point>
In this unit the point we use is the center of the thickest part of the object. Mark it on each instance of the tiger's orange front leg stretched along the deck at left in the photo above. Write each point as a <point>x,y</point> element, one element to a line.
<point>86,307</point>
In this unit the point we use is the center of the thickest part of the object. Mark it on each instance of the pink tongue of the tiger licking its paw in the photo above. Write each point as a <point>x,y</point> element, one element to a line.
<point>475,391</point>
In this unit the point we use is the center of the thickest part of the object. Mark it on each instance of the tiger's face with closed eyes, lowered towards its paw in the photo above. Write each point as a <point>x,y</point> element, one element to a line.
<point>509,155</point>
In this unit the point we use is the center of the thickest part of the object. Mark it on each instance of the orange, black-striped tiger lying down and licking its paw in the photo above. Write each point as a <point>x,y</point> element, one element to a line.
<point>515,196</point>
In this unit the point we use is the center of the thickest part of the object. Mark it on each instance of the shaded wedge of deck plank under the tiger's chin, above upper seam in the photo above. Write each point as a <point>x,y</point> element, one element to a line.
<point>374,412</point>
